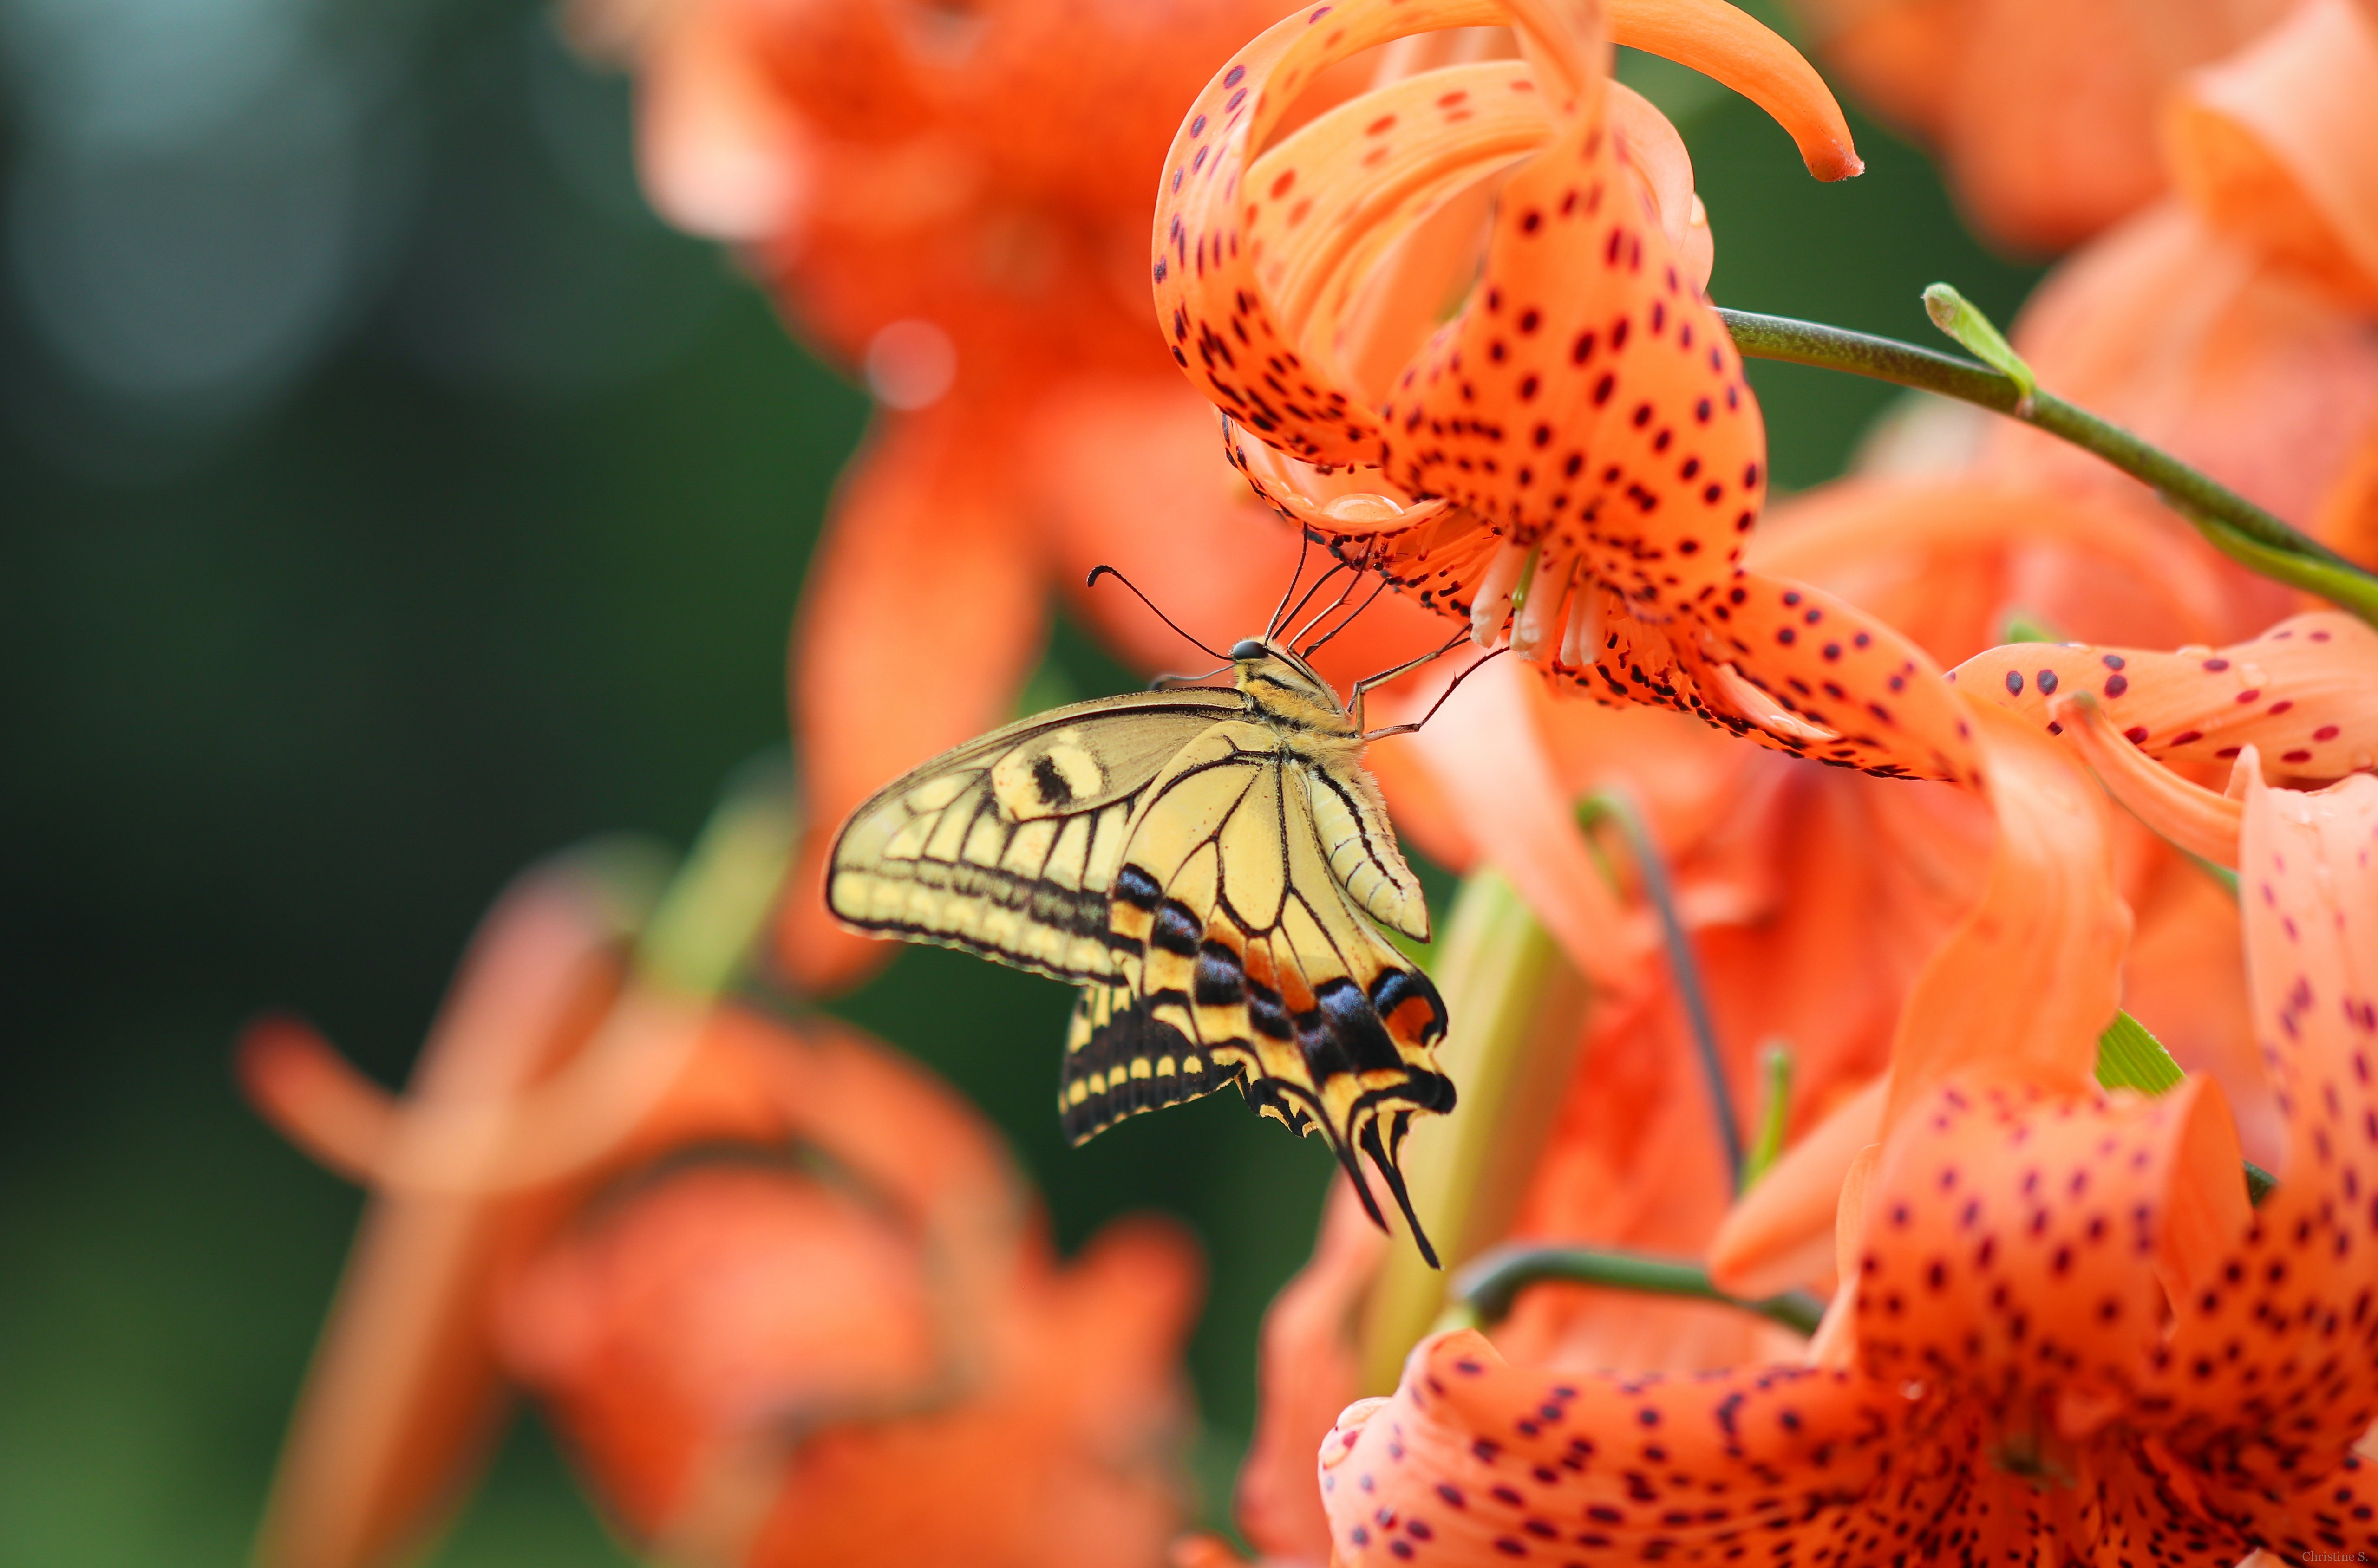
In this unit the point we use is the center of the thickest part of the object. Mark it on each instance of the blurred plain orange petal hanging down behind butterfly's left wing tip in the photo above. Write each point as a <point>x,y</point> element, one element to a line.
<point>919,621</point>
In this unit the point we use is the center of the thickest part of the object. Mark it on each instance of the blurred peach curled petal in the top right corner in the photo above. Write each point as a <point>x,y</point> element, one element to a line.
<point>2279,146</point>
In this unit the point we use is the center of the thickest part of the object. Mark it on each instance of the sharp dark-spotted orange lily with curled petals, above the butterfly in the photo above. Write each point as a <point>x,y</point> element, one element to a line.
<point>1573,460</point>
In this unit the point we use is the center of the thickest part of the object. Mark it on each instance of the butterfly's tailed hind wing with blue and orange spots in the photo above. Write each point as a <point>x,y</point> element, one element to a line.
<point>1245,961</point>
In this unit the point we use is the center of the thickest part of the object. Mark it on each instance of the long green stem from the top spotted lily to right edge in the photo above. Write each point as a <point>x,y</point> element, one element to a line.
<point>2234,524</point>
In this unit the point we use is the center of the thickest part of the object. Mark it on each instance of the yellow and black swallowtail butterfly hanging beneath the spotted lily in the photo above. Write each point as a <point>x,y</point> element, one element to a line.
<point>1209,866</point>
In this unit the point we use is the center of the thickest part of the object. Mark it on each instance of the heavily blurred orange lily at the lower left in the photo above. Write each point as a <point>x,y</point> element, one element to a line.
<point>760,1277</point>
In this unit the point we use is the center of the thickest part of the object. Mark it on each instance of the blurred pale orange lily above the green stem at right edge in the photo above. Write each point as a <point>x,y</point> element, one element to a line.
<point>2232,324</point>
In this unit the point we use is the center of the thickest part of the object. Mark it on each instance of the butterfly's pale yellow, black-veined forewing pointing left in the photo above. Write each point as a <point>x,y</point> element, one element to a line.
<point>1007,847</point>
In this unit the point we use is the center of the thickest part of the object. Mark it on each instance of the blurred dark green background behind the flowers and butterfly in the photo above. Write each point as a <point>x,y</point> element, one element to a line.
<point>389,500</point>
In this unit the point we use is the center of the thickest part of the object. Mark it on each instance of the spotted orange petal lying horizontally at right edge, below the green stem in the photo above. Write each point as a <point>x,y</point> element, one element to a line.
<point>2305,693</point>
